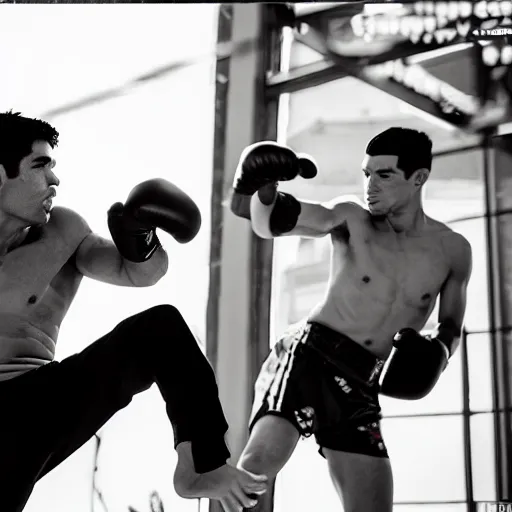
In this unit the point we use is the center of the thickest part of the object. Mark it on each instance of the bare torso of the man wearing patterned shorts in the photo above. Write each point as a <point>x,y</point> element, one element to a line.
<point>381,281</point>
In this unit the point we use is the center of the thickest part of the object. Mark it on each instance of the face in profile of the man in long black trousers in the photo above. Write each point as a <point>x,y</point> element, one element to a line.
<point>27,198</point>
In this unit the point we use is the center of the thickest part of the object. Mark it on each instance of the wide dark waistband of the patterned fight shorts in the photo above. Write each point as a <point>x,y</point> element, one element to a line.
<point>344,353</point>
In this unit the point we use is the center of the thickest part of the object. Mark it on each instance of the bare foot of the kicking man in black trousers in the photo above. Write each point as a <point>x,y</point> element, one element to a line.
<point>239,486</point>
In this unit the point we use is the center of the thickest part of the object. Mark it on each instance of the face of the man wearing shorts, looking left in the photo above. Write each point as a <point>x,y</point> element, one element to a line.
<point>386,189</point>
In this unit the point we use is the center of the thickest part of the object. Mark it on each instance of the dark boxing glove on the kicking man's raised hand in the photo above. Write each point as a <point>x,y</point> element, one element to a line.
<point>155,203</point>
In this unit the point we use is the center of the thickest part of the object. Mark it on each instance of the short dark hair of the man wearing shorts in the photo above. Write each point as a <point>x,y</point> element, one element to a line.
<point>413,148</point>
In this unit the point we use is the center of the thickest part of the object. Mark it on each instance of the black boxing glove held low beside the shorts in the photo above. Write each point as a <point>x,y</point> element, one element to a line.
<point>414,366</point>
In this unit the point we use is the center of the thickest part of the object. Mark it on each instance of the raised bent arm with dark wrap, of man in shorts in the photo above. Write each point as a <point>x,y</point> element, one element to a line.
<point>314,220</point>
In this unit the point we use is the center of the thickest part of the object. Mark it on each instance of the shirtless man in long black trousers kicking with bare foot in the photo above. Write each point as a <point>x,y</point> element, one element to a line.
<point>48,408</point>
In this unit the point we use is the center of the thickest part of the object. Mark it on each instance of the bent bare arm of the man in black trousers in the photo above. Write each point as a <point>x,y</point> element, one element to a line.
<point>99,259</point>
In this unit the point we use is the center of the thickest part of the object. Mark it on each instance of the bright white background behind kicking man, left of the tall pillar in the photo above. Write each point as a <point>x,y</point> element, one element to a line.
<point>54,54</point>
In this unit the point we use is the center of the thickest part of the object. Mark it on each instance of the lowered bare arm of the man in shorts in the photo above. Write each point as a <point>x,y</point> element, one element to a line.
<point>452,301</point>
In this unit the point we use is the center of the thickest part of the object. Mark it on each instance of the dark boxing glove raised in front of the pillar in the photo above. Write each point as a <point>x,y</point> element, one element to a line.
<point>268,162</point>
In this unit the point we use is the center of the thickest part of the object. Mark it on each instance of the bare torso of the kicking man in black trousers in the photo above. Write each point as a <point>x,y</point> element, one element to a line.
<point>38,281</point>
